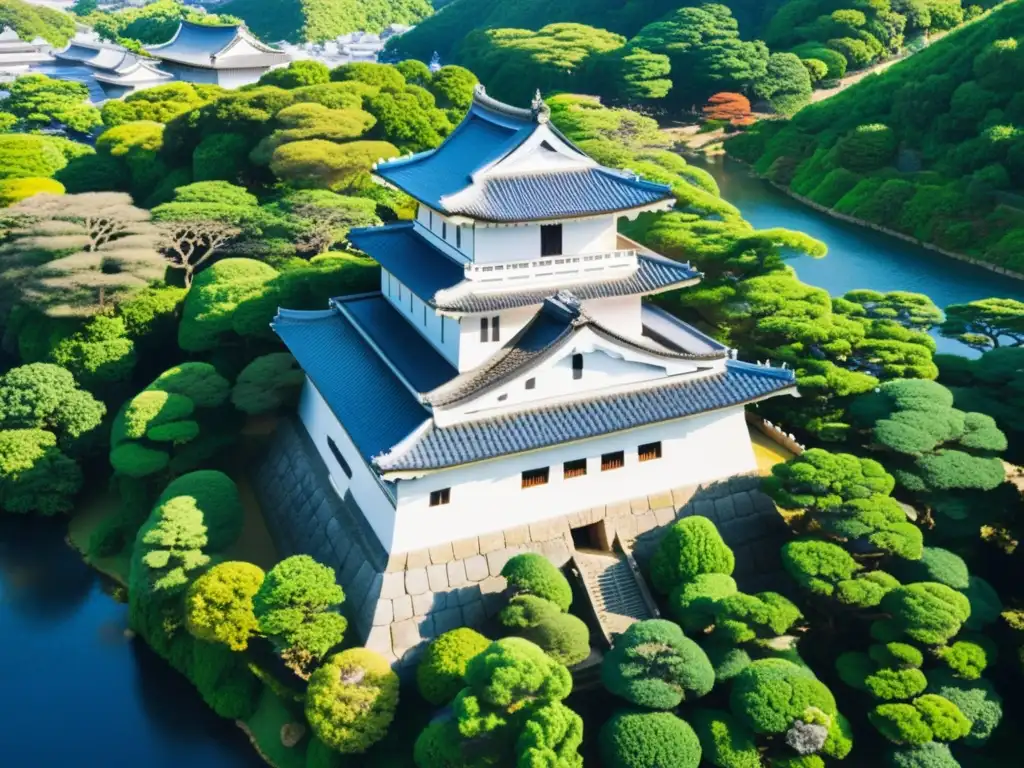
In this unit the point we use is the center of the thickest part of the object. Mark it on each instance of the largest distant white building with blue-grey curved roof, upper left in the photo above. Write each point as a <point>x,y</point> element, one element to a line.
<point>230,57</point>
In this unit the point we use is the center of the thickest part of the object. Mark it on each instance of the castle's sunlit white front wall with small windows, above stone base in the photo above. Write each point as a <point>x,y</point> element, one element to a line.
<point>489,496</point>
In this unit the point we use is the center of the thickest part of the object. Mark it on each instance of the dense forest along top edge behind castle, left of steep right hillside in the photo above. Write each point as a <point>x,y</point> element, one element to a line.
<point>673,59</point>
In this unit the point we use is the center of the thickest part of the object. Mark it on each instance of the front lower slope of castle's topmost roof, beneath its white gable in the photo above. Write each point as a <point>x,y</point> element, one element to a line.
<point>533,197</point>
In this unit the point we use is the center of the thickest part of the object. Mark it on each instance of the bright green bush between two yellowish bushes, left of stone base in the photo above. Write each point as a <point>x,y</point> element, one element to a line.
<point>296,608</point>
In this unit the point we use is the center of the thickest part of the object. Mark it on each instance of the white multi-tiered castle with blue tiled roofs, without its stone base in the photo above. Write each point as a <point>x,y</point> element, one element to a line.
<point>509,371</point>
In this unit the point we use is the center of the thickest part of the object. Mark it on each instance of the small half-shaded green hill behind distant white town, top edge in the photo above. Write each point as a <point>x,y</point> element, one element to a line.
<point>306,21</point>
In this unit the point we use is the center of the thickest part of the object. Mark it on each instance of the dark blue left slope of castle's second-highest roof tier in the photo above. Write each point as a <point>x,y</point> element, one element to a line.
<point>409,258</point>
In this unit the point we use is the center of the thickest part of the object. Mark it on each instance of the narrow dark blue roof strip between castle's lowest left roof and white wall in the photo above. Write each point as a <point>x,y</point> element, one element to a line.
<point>421,365</point>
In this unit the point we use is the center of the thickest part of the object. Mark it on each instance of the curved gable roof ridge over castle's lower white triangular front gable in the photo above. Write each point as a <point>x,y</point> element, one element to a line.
<point>562,318</point>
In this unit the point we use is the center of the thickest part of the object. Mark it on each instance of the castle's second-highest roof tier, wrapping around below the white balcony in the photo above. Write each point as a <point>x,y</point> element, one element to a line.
<point>441,282</point>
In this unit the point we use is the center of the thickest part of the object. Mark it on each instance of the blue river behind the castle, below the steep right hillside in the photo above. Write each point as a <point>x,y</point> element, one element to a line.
<point>860,258</point>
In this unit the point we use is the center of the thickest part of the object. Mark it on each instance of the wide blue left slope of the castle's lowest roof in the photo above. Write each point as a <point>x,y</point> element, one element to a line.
<point>376,409</point>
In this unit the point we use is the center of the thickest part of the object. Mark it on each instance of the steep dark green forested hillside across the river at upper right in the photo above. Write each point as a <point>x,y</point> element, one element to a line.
<point>933,148</point>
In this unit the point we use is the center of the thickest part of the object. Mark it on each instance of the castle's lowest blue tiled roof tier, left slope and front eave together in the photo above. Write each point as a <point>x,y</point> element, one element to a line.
<point>391,425</point>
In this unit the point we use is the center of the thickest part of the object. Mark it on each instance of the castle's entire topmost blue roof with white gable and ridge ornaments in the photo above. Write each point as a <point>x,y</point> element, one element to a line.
<point>464,176</point>
